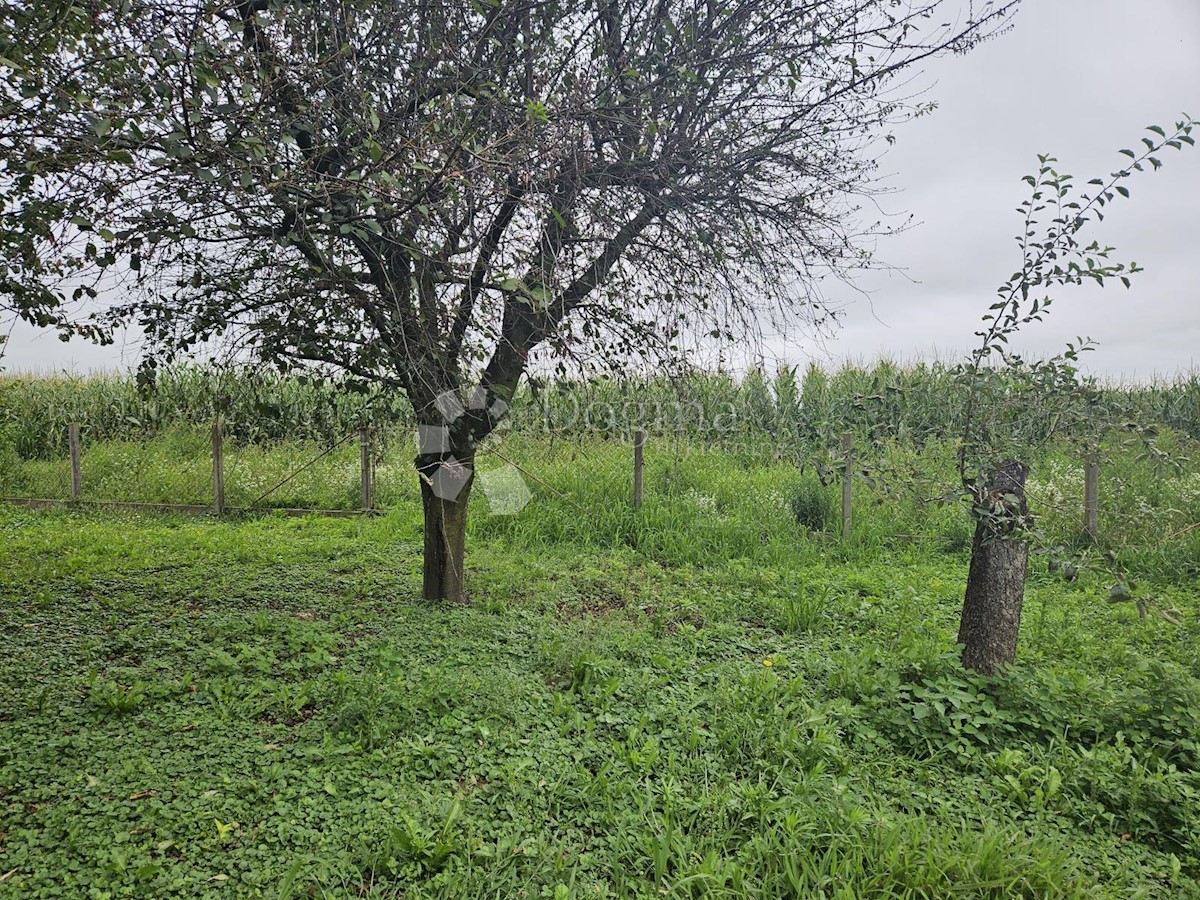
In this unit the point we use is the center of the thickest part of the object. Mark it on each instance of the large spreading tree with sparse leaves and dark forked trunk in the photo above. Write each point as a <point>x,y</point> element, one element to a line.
<point>428,195</point>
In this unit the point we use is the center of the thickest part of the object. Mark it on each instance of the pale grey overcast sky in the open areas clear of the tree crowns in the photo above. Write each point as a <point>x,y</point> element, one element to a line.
<point>1076,79</point>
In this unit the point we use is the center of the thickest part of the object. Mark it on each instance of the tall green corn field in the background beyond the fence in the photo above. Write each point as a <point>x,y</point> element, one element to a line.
<point>793,415</point>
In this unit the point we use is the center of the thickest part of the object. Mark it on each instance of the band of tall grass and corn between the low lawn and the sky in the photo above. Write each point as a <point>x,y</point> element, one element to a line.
<point>733,465</point>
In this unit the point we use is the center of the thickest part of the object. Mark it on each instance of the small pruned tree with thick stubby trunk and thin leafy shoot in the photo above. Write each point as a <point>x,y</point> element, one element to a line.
<point>1055,215</point>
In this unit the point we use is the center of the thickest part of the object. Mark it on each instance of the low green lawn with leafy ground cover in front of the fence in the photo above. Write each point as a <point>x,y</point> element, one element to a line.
<point>262,707</point>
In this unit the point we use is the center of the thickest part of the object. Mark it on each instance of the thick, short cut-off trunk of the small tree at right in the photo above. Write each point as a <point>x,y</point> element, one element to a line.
<point>992,611</point>
